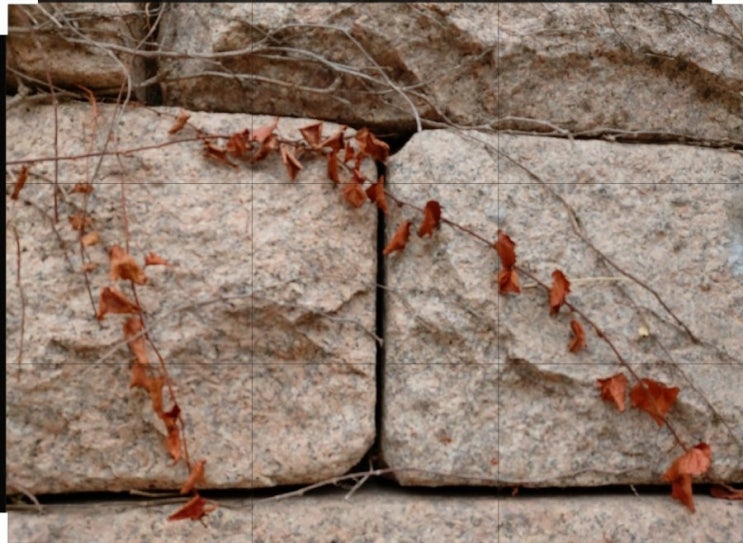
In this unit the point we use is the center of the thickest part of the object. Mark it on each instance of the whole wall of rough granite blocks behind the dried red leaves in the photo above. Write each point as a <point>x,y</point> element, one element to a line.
<point>606,140</point>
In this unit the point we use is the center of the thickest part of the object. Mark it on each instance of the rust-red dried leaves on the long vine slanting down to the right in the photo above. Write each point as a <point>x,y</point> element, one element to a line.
<point>650,396</point>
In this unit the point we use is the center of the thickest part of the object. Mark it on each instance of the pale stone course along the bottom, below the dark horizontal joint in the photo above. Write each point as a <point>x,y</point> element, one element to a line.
<point>382,515</point>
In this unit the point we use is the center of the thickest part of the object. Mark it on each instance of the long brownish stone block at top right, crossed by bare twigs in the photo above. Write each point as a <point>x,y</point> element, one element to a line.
<point>677,68</point>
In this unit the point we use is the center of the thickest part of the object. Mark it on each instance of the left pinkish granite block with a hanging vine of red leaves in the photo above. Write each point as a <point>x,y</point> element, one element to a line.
<point>274,370</point>
